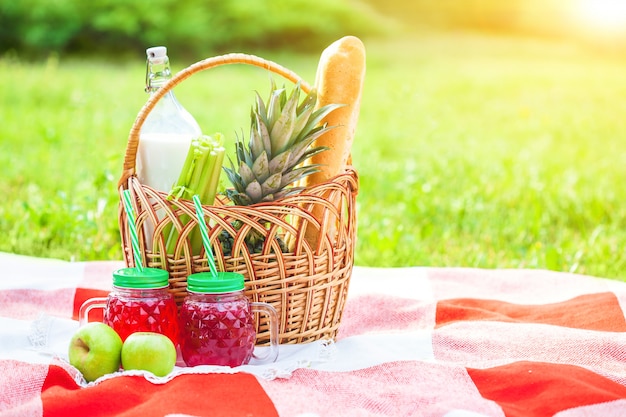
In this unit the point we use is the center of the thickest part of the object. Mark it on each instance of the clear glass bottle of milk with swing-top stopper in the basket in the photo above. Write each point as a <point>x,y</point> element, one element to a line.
<point>167,132</point>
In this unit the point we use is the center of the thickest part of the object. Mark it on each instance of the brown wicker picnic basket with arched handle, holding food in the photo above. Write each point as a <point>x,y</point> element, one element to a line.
<point>307,285</point>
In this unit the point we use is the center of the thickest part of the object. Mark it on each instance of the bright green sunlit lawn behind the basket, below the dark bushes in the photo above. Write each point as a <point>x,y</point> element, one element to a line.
<point>472,151</point>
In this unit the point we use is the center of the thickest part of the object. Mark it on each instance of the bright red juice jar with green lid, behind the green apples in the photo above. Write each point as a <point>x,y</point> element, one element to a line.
<point>140,302</point>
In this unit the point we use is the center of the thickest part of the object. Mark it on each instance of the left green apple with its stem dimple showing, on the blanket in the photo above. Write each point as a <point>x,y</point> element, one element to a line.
<point>95,350</point>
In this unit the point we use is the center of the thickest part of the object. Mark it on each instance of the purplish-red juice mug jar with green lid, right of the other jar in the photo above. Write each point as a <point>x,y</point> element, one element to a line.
<point>216,322</point>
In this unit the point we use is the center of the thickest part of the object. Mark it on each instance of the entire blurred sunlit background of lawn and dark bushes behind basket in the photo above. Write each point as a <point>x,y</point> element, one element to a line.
<point>491,133</point>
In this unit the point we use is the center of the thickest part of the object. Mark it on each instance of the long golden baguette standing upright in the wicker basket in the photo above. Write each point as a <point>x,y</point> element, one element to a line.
<point>339,80</point>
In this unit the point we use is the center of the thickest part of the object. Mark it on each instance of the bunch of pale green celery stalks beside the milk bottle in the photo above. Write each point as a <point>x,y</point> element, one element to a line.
<point>199,175</point>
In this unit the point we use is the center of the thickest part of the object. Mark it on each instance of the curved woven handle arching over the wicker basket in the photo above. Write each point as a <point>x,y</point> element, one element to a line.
<point>233,58</point>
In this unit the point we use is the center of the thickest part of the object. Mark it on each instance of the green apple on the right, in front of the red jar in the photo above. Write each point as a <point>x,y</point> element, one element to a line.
<point>149,351</point>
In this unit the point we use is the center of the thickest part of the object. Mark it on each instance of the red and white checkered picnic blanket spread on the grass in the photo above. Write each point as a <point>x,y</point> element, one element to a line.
<point>414,342</point>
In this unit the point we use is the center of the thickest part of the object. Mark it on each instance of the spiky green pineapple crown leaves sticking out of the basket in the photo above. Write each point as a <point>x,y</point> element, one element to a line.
<point>281,134</point>
